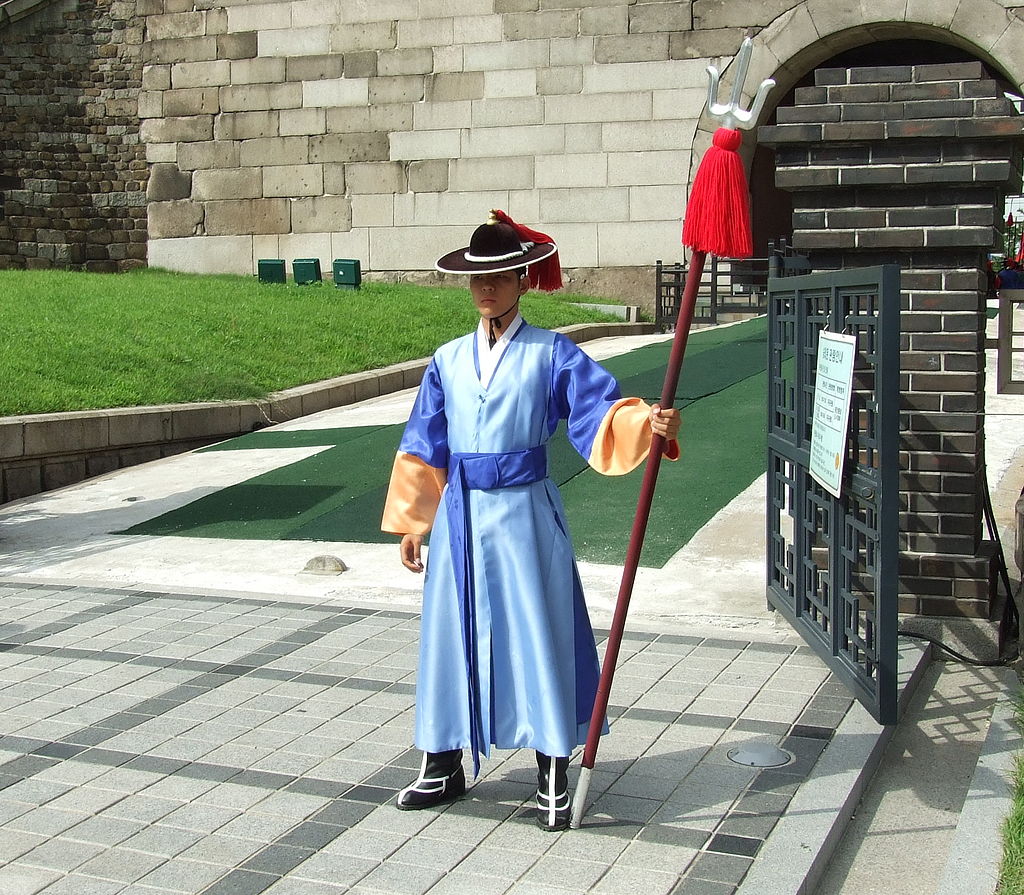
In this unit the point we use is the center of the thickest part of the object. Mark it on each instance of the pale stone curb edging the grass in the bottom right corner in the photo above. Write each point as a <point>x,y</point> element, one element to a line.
<point>973,866</point>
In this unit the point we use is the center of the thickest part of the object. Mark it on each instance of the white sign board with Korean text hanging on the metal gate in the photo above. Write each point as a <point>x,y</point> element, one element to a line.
<point>833,389</point>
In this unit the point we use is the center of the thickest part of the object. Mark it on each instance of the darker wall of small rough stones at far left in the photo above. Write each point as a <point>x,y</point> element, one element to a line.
<point>73,171</point>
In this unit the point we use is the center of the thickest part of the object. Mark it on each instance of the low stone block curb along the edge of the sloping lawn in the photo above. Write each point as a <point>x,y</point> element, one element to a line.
<point>41,452</point>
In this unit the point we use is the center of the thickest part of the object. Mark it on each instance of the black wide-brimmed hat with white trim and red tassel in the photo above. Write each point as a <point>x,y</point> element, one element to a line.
<point>501,244</point>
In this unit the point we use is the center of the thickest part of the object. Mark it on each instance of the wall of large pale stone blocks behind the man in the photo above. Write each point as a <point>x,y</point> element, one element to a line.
<point>386,132</point>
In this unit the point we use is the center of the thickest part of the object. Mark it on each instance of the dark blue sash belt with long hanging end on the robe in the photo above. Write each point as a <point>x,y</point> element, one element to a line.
<point>480,473</point>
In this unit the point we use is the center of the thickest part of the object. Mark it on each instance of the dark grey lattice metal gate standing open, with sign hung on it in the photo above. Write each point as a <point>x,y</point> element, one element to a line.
<point>833,562</point>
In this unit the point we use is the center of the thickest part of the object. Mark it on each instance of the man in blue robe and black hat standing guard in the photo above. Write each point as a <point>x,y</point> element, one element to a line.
<point>507,654</point>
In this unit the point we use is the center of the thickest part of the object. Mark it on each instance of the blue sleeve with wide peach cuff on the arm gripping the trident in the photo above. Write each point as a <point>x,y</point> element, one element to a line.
<point>613,434</point>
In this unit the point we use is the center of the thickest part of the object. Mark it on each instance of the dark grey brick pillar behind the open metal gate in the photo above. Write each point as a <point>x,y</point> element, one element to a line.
<point>910,165</point>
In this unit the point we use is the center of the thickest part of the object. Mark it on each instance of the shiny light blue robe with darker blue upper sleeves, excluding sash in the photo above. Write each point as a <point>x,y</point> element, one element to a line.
<point>518,667</point>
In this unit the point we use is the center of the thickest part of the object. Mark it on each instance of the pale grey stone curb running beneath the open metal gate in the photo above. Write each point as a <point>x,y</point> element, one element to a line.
<point>797,853</point>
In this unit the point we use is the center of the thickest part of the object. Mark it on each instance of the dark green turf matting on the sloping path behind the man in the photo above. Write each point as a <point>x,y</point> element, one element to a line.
<point>338,494</point>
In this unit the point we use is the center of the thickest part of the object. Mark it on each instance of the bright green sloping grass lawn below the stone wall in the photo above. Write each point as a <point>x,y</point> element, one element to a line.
<point>82,342</point>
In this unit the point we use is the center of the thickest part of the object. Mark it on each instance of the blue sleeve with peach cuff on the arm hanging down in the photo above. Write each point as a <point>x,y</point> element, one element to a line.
<point>420,470</point>
